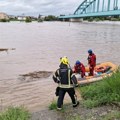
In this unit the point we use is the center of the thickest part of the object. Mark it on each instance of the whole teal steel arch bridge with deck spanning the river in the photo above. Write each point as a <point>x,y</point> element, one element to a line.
<point>96,8</point>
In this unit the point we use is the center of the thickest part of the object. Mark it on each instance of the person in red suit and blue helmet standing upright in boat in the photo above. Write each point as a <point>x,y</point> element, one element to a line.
<point>91,62</point>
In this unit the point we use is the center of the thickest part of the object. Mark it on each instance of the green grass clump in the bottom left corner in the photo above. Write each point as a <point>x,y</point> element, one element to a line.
<point>15,113</point>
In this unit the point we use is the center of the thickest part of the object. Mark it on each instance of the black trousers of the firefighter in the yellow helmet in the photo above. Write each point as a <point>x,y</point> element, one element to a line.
<point>62,92</point>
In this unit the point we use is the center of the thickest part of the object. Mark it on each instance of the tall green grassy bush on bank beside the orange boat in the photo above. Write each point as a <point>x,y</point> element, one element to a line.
<point>104,92</point>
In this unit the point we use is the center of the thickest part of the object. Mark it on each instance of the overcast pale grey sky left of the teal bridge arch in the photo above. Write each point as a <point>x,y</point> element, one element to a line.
<point>36,7</point>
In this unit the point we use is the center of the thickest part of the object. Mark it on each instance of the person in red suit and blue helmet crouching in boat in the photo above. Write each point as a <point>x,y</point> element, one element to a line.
<point>79,68</point>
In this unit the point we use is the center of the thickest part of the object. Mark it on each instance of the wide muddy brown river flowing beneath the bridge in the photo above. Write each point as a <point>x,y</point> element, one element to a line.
<point>38,47</point>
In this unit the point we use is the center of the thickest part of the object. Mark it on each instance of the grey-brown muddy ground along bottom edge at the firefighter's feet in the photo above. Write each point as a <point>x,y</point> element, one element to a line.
<point>79,113</point>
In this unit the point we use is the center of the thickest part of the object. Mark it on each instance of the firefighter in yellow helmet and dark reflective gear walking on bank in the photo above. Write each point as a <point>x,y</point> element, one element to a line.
<point>66,81</point>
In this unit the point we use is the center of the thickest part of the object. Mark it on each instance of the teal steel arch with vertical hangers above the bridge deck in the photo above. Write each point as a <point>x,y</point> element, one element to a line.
<point>92,6</point>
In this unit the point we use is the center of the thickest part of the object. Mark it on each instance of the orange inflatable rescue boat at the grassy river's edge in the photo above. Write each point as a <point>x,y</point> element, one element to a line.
<point>101,70</point>
